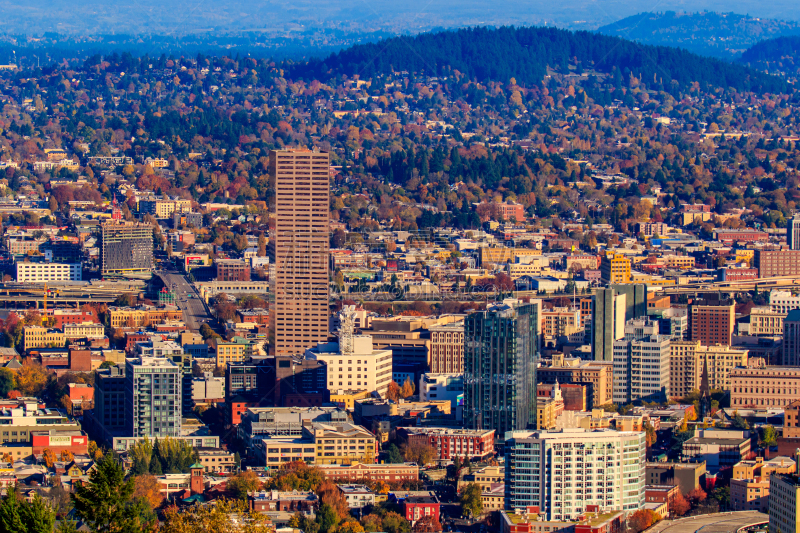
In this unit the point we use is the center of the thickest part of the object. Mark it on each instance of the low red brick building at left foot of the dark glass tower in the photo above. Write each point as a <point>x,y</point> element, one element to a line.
<point>450,443</point>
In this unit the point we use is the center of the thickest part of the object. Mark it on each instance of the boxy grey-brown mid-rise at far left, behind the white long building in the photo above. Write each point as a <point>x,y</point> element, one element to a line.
<point>126,248</point>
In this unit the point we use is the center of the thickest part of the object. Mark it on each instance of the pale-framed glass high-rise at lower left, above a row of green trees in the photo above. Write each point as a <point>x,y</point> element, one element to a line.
<point>152,397</point>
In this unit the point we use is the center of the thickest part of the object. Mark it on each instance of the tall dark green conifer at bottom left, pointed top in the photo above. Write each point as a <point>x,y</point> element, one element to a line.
<point>106,502</point>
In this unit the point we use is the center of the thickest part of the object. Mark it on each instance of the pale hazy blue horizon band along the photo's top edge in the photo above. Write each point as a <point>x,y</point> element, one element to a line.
<point>276,18</point>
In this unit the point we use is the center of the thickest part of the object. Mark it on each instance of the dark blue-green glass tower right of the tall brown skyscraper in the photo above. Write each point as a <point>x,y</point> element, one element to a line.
<point>501,346</point>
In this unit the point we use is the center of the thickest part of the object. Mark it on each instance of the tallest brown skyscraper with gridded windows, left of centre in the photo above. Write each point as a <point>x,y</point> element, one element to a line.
<point>298,249</point>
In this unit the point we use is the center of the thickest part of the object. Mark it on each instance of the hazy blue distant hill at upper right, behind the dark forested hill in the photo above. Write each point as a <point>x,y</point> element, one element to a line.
<point>722,35</point>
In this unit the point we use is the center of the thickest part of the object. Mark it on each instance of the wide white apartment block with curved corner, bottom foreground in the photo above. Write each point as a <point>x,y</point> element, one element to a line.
<point>563,471</point>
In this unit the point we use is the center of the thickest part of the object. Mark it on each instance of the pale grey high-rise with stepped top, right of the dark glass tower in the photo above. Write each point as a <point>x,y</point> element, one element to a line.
<point>641,363</point>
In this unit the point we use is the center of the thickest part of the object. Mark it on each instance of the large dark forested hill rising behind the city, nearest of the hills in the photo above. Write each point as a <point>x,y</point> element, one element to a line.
<point>525,53</point>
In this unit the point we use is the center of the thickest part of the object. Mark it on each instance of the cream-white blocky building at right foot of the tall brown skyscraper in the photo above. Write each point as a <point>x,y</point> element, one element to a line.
<point>354,365</point>
